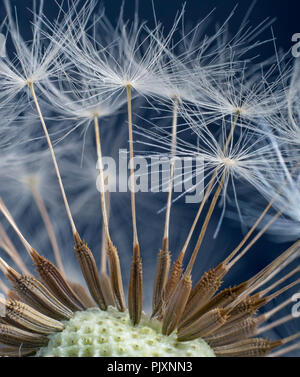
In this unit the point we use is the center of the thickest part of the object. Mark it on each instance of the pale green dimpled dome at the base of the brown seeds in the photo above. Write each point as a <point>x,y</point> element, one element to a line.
<point>110,333</point>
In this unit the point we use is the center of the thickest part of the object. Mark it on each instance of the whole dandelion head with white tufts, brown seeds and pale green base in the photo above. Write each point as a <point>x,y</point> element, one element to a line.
<point>224,109</point>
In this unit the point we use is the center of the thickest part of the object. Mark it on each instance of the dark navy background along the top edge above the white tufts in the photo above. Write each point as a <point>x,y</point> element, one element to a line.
<point>286,13</point>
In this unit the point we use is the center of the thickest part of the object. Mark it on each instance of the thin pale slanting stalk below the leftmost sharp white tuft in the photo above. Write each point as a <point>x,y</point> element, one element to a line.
<point>32,90</point>
